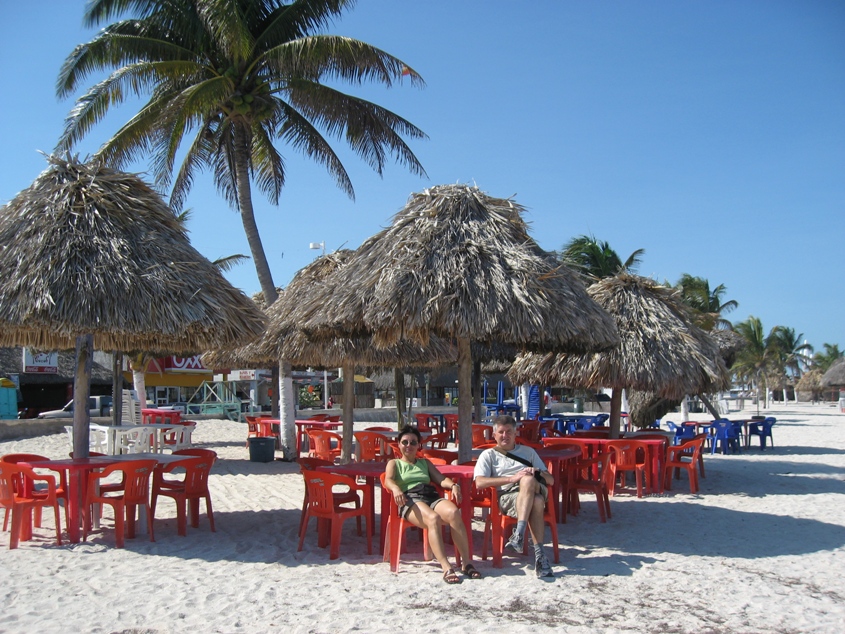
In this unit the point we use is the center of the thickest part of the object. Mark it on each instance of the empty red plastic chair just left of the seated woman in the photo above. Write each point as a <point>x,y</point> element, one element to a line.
<point>319,486</point>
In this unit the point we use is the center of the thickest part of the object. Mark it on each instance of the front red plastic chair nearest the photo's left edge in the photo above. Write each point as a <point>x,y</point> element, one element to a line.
<point>18,497</point>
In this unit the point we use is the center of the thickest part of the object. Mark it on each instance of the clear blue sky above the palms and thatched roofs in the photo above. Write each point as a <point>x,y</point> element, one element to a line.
<point>711,134</point>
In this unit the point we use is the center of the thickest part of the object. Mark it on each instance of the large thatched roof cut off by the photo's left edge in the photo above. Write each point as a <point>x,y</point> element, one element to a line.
<point>86,249</point>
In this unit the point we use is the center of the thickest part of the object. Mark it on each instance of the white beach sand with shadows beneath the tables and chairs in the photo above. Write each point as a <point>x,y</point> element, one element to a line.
<point>760,549</point>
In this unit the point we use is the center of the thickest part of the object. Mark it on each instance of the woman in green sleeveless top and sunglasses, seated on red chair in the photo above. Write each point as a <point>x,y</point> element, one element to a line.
<point>409,479</point>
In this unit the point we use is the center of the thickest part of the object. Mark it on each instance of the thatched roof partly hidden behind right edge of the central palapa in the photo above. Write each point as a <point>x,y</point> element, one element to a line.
<point>661,350</point>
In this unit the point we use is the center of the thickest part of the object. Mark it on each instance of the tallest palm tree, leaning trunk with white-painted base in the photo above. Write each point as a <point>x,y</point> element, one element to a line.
<point>239,76</point>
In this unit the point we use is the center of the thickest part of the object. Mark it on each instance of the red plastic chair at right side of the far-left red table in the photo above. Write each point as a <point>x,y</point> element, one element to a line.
<point>186,491</point>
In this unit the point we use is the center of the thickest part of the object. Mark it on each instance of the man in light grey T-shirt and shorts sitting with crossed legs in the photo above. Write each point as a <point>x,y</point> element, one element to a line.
<point>511,468</point>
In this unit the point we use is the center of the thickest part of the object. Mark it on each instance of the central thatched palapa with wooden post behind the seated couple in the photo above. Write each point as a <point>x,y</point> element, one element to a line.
<point>458,264</point>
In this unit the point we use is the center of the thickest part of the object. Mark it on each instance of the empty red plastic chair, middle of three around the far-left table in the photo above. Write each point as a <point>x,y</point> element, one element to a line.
<point>136,492</point>
